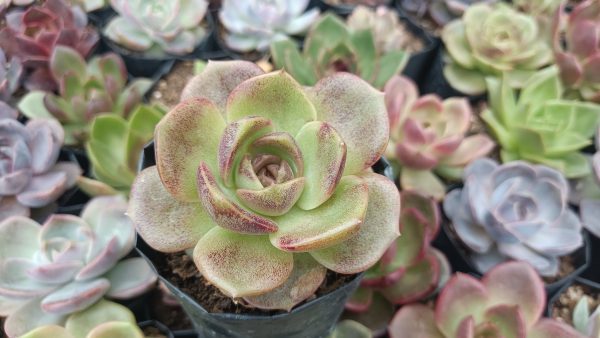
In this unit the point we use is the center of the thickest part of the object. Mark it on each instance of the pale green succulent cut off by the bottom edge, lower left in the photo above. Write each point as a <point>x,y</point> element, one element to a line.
<point>104,319</point>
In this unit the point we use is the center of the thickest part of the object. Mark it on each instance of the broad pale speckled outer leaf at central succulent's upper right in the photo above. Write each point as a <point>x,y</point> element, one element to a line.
<point>358,113</point>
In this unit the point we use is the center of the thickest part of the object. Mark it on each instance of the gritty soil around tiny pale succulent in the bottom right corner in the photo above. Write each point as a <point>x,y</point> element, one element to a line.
<point>562,309</point>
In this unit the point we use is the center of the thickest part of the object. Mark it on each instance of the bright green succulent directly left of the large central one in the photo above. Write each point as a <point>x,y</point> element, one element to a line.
<point>114,149</point>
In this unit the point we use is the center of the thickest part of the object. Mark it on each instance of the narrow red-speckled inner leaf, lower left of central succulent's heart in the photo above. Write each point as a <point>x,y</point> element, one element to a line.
<point>225,212</point>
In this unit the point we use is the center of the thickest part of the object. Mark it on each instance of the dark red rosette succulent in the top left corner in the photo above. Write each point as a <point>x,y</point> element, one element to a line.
<point>33,34</point>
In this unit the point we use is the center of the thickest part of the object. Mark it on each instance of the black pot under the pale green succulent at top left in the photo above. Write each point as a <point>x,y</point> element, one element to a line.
<point>153,66</point>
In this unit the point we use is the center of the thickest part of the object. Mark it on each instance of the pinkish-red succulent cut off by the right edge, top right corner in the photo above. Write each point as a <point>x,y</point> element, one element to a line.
<point>576,51</point>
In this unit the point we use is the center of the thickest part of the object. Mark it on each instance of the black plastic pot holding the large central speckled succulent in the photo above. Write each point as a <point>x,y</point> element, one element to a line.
<point>314,318</point>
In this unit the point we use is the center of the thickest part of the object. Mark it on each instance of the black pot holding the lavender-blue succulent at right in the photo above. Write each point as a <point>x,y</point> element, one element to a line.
<point>458,256</point>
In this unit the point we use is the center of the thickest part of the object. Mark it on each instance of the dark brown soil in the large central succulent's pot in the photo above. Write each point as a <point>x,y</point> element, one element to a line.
<point>180,270</point>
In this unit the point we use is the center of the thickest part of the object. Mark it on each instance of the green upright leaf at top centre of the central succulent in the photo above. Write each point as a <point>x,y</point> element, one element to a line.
<point>275,96</point>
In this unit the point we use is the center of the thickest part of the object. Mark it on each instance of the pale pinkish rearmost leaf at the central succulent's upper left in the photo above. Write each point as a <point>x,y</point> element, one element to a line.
<point>218,79</point>
